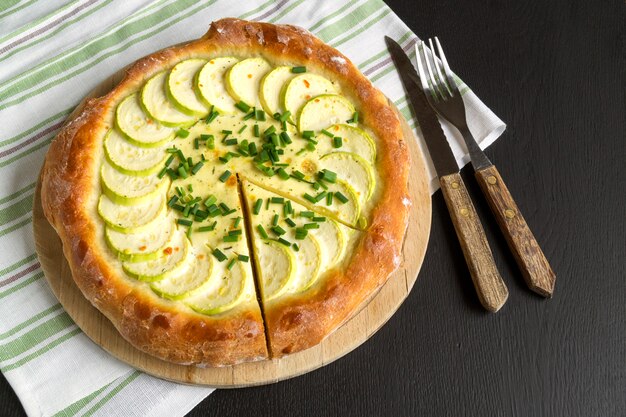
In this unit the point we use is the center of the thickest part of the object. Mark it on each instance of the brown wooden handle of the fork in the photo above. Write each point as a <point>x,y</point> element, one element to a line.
<point>531,260</point>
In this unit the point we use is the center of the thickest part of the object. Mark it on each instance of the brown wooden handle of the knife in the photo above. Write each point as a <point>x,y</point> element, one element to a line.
<point>492,291</point>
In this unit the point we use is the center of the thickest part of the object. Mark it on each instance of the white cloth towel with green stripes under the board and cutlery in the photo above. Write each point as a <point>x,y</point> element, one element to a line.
<point>52,53</point>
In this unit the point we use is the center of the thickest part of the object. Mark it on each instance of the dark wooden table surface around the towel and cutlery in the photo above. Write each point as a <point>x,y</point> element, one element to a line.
<point>555,72</point>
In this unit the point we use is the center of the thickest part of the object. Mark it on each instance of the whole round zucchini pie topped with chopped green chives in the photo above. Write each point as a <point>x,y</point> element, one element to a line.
<point>232,199</point>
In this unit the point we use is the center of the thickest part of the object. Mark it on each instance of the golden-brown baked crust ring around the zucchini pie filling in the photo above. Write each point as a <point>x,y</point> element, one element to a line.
<point>70,187</point>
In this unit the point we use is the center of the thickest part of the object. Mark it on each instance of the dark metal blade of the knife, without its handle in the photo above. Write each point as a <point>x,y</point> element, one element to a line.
<point>438,146</point>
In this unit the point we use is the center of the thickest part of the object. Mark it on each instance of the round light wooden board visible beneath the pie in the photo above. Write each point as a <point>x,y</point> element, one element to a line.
<point>349,336</point>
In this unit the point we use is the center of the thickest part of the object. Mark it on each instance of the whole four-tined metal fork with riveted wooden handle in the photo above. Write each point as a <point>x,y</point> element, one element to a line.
<point>444,97</point>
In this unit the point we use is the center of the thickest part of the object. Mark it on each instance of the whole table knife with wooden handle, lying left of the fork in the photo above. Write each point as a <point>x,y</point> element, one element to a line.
<point>491,290</point>
